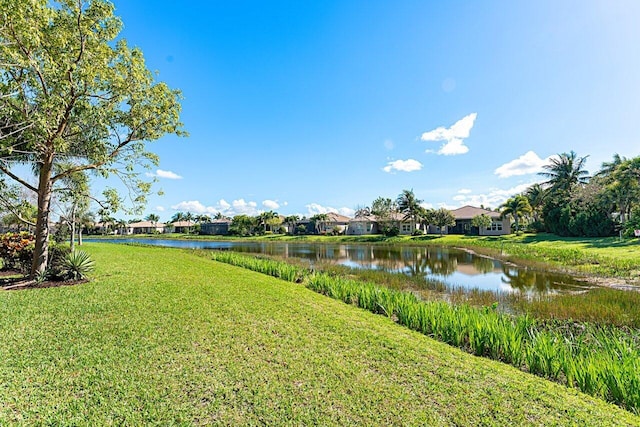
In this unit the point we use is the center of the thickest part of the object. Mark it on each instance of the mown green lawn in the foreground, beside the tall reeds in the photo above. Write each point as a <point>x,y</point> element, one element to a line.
<point>164,336</point>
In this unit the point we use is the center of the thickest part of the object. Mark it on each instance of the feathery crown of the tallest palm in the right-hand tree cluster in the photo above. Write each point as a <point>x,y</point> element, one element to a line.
<point>565,172</point>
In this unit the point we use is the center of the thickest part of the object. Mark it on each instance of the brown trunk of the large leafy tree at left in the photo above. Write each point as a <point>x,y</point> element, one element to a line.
<point>45,188</point>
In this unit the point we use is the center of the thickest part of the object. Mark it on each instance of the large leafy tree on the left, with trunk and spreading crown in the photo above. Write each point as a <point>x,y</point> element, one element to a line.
<point>71,91</point>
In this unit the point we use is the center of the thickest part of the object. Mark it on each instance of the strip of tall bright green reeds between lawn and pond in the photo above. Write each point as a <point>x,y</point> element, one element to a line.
<point>601,362</point>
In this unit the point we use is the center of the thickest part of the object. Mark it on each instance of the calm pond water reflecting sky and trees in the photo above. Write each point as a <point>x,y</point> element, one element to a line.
<point>453,267</point>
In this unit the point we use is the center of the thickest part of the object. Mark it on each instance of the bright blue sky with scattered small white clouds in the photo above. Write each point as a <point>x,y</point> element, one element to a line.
<point>304,107</point>
